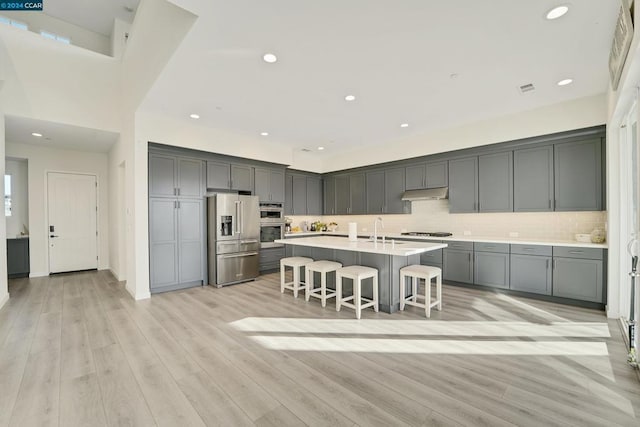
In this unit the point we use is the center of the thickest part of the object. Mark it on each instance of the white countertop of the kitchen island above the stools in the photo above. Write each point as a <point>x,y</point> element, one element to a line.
<point>364,245</point>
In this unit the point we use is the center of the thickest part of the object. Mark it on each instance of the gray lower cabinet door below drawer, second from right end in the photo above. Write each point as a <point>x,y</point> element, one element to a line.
<point>530,273</point>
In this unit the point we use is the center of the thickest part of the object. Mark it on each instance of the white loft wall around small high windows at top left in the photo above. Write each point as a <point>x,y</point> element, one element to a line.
<point>79,36</point>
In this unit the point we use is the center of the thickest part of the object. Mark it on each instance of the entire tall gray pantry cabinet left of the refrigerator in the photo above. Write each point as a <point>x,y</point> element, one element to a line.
<point>176,222</point>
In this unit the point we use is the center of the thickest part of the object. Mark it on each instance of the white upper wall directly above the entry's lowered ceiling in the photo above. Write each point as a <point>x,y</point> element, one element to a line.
<point>58,83</point>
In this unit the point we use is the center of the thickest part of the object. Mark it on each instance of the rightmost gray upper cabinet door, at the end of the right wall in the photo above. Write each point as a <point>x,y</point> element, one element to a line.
<point>578,175</point>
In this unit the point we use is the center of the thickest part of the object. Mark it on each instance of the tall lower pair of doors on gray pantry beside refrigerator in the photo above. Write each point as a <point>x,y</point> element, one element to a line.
<point>176,240</point>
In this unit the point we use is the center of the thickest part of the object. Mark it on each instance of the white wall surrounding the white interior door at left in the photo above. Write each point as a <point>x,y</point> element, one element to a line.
<point>44,159</point>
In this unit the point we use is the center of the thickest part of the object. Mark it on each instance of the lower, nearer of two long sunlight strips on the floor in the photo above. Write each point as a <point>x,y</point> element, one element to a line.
<point>494,348</point>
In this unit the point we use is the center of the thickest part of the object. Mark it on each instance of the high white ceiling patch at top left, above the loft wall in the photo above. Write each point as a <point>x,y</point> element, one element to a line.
<point>94,15</point>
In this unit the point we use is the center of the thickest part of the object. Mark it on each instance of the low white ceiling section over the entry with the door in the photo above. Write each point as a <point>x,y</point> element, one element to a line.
<point>19,130</point>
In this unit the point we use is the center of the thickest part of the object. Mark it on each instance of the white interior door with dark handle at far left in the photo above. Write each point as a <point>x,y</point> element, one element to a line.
<point>72,228</point>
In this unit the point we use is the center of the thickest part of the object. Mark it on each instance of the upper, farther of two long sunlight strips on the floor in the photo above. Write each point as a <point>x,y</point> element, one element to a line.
<point>421,327</point>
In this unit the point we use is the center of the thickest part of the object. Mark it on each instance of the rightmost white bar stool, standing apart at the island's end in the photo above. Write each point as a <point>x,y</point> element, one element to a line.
<point>415,273</point>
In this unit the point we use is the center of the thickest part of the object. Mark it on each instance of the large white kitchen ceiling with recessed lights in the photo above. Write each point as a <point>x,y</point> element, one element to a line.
<point>397,57</point>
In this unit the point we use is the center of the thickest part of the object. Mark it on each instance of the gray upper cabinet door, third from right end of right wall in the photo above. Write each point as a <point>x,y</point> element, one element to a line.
<point>495,182</point>
